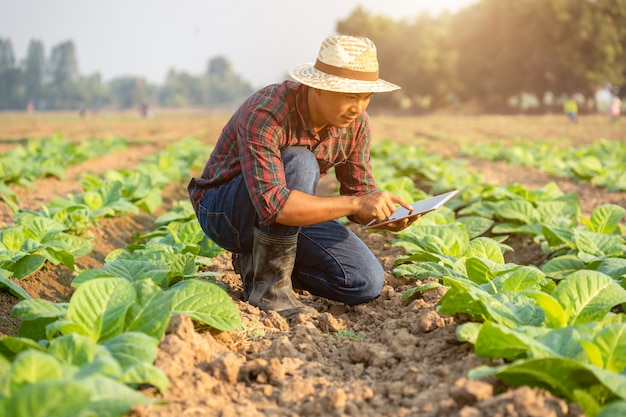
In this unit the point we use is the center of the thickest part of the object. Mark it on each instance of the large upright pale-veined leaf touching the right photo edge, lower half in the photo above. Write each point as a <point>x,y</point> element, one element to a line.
<point>589,295</point>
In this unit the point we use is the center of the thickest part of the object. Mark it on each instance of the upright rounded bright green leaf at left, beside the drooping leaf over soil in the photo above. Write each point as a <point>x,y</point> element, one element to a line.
<point>100,306</point>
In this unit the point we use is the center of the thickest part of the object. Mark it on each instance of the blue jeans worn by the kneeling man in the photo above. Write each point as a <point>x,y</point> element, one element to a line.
<point>331,261</point>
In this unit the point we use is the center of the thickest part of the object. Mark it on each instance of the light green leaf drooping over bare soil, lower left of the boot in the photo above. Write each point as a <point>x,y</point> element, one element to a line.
<point>205,302</point>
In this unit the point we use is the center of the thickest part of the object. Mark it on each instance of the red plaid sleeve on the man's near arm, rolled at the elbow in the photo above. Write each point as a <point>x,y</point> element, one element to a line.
<point>260,138</point>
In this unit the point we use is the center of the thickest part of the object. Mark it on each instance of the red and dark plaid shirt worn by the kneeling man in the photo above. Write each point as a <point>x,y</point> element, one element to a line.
<point>271,120</point>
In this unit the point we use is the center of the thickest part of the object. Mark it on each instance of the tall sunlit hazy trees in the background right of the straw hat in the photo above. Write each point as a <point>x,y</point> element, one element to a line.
<point>496,49</point>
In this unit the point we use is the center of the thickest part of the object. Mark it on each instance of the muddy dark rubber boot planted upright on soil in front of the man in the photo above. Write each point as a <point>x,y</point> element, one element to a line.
<point>274,258</point>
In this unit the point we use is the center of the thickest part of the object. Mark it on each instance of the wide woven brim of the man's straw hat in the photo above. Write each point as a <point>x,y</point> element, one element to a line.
<point>307,74</point>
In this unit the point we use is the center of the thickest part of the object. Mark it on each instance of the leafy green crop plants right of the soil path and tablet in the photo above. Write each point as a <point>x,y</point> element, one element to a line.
<point>559,327</point>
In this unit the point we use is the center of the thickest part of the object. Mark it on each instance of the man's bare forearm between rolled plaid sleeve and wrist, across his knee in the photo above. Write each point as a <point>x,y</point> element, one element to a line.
<point>303,209</point>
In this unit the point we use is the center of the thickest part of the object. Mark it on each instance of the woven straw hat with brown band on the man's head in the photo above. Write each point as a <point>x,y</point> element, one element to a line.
<point>345,64</point>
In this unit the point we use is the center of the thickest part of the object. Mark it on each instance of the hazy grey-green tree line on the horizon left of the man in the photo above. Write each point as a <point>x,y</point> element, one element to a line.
<point>54,83</point>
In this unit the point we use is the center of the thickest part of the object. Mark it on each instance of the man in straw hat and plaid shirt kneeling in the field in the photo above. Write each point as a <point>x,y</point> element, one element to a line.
<point>257,194</point>
